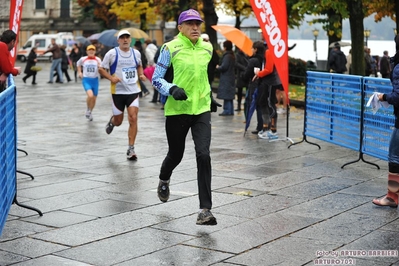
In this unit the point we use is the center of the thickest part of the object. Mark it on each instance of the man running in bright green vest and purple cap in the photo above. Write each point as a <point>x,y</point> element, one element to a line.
<point>181,74</point>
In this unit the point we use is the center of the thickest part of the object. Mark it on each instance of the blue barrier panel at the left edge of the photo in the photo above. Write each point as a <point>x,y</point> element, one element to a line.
<point>8,150</point>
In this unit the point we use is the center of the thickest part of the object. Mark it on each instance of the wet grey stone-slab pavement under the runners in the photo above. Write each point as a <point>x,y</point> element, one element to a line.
<point>274,205</point>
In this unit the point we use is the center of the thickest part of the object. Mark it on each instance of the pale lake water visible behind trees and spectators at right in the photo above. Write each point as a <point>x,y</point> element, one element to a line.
<point>304,49</point>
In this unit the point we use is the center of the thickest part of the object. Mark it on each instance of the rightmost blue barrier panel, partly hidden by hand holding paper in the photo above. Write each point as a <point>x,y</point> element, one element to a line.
<point>377,128</point>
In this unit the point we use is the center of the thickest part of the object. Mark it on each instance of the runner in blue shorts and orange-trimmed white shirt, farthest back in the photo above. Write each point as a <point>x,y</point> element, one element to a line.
<point>88,72</point>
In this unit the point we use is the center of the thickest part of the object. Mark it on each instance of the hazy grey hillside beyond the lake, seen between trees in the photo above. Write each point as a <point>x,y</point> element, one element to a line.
<point>379,31</point>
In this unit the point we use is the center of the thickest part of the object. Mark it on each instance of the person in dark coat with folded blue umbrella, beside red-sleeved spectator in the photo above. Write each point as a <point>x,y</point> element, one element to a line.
<point>255,61</point>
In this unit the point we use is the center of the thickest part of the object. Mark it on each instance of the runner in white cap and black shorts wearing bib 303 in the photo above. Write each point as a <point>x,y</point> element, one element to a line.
<point>125,68</point>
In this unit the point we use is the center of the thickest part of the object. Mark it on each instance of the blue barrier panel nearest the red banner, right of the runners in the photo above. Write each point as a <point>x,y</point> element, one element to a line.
<point>333,108</point>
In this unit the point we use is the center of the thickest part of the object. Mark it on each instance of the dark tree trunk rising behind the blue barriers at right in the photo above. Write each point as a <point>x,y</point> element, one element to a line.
<point>356,18</point>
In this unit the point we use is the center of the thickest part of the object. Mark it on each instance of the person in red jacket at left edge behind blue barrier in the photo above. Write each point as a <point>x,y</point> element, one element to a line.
<point>7,43</point>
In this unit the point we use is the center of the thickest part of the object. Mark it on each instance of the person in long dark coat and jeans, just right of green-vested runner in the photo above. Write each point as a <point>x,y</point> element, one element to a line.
<point>227,90</point>
